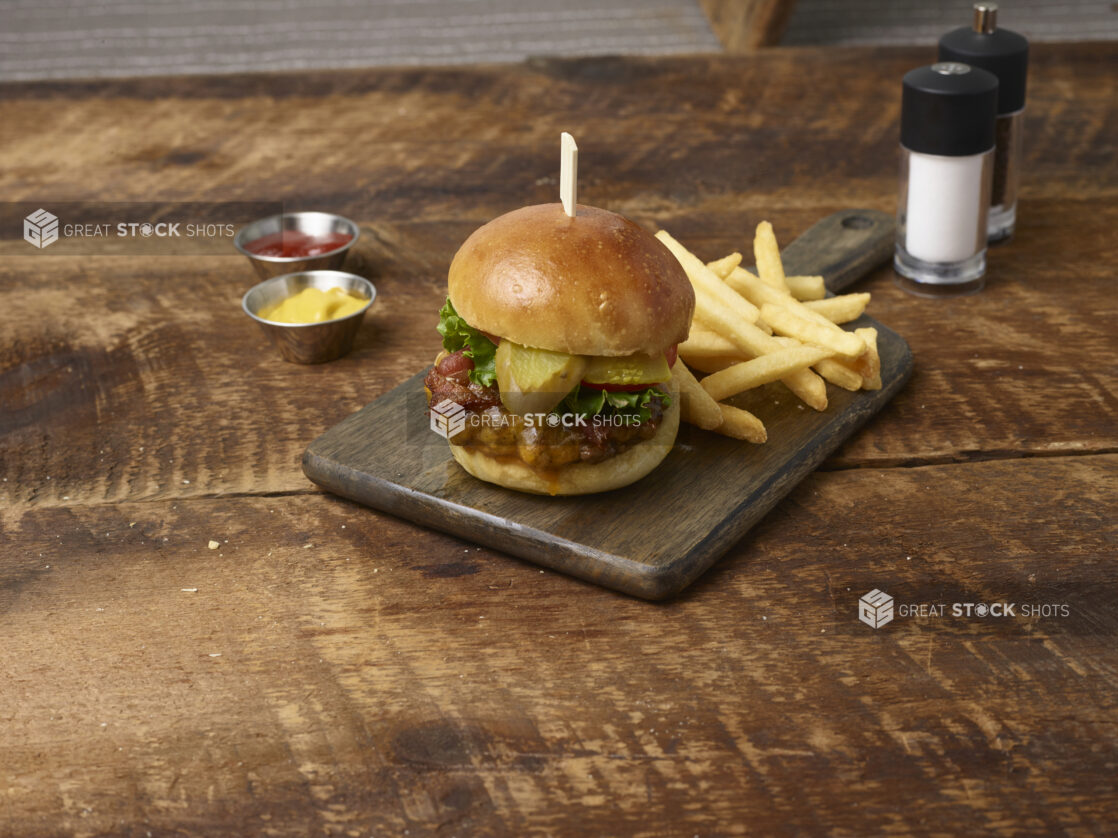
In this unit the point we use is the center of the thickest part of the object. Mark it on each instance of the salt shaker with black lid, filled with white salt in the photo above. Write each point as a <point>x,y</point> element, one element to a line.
<point>949,113</point>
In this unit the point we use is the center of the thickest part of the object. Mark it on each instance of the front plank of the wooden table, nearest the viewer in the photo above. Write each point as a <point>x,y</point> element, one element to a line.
<point>389,679</point>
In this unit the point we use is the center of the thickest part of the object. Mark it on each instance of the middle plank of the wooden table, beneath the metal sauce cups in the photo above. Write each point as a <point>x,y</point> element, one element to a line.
<point>145,395</point>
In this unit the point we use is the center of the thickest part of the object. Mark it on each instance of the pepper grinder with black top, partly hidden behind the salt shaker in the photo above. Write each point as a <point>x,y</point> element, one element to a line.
<point>1006,54</point>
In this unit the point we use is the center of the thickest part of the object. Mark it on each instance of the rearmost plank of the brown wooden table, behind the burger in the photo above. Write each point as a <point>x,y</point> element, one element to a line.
<point>737,142</point>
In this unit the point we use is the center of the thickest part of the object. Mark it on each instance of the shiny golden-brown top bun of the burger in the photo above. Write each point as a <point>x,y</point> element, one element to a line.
<point>596,284</point>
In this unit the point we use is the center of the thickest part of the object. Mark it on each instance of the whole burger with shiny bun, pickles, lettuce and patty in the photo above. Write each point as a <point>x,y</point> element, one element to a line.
<point>560,336</point>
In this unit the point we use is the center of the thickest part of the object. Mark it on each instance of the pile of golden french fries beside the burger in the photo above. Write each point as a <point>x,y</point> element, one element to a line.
<point>751,330</point>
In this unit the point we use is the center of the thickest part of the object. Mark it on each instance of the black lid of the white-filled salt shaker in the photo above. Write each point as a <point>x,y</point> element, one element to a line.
<point>949,109</point>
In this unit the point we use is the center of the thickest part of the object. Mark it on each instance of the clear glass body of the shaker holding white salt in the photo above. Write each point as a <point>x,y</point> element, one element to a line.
<point>942,221</point>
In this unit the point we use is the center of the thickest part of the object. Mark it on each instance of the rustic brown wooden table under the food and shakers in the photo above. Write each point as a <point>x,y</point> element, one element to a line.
<point>338,672</point>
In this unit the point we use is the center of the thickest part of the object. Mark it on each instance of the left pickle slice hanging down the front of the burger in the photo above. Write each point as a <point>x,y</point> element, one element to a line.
<point>535,380</point>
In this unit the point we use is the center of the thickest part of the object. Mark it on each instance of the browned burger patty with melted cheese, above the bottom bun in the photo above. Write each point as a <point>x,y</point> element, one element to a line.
<point>497,433</point>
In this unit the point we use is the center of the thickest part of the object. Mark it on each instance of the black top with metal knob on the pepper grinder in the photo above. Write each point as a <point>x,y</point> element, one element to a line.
<point>1002,52</point>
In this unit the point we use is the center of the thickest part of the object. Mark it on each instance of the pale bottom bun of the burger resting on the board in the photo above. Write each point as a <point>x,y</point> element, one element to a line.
<point>579,479</point>
